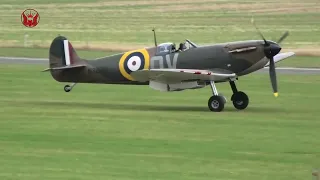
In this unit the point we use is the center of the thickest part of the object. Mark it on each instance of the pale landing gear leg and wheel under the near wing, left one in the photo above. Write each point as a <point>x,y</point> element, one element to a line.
<point>216,102</point>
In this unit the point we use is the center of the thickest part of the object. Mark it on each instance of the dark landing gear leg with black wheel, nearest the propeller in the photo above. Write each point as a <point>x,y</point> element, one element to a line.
<point>239,99</point>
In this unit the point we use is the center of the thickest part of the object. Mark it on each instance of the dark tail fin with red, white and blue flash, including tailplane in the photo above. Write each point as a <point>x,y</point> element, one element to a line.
<point>62,55</point>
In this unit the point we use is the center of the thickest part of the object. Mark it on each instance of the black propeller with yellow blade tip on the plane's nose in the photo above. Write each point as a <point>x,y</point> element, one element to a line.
<point>270,50</point>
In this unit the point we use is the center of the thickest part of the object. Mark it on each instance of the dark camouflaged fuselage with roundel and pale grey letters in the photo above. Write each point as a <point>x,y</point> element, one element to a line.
<point>241,58</point>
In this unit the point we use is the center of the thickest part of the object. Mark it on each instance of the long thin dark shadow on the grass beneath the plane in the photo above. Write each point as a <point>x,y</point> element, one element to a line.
<point>146,107</point>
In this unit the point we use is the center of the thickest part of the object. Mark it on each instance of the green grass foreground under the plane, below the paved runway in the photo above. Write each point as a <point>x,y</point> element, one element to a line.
<point>134,132</point>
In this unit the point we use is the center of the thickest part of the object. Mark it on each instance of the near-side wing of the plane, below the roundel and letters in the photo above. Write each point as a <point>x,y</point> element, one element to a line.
<point>178,75</point>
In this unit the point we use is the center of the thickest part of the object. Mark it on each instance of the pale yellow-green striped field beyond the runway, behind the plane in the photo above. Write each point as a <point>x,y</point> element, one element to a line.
<point>114,23</point>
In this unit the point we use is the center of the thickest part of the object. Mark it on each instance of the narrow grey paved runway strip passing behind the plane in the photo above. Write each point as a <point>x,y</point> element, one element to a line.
<point>285,70</point>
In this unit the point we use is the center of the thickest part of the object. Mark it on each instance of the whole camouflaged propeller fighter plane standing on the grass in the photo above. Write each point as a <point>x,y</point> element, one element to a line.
<point>166,68</point>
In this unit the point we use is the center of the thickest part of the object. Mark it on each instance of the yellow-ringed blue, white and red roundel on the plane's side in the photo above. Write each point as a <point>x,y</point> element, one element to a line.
<point>133,61</point>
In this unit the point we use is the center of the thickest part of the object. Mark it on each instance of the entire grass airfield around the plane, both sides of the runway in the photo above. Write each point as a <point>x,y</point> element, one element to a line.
<point>133,132</point>
